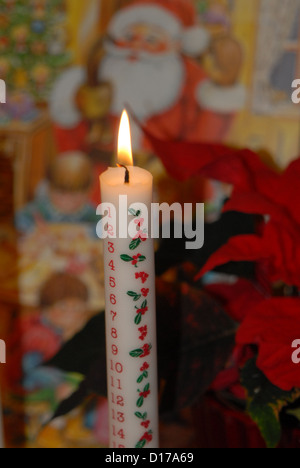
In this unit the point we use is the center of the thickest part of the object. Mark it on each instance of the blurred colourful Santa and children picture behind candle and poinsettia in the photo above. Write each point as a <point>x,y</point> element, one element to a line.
<point>217,71</point>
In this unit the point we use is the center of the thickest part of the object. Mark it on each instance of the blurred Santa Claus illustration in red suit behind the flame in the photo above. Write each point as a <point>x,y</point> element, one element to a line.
<point>151,61</point>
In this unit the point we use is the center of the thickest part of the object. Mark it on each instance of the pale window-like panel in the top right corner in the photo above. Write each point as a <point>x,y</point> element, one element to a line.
<point>277,66</point>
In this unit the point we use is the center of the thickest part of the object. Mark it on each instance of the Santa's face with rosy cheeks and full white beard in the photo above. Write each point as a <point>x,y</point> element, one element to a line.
<point>146,70</point>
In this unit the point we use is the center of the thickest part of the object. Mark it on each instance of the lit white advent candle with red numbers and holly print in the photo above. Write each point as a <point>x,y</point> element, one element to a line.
<point>130,301</point>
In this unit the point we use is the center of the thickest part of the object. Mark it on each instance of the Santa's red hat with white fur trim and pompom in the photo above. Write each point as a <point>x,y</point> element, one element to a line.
<point>177,17</point>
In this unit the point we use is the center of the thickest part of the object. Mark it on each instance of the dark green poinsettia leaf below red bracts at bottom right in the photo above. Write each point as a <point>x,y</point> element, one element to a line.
<point>265,402</point>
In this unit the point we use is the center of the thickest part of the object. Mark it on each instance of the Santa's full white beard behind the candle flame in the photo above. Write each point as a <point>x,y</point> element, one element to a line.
<point>150,85</point>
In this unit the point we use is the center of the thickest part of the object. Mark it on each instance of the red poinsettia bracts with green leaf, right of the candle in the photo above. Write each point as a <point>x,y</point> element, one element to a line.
<point>267,304</point>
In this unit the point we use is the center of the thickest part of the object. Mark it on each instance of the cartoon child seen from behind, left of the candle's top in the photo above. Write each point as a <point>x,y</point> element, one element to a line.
<point>64,198</point>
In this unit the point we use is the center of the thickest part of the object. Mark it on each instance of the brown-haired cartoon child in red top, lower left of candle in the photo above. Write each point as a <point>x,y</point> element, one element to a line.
<point>37,338</point>
